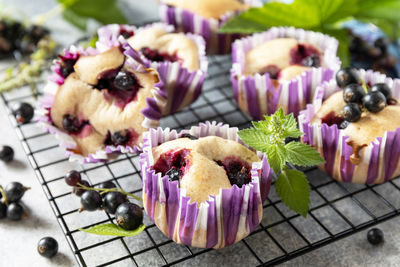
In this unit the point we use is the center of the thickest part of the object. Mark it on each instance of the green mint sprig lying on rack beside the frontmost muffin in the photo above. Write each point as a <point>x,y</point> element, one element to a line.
<point>269,136</point>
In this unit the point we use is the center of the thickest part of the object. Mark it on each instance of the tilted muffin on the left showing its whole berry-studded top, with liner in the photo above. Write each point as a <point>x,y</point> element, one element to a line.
<point>100,104</point>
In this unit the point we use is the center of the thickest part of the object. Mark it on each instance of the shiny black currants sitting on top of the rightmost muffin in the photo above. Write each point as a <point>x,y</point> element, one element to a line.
<point>358,97</point>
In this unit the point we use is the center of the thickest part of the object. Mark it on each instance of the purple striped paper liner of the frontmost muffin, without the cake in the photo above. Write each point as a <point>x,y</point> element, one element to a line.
<point>220,221</point>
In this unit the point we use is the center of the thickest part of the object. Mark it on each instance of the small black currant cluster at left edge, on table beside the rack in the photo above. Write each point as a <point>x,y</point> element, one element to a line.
<point>10,206</point>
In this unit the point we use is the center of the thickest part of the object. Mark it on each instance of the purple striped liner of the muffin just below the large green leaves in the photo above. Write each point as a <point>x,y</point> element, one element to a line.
<point>257,95</point>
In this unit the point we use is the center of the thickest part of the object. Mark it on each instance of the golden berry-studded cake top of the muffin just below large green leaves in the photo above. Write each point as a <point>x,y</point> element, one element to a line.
<point>282,58</point>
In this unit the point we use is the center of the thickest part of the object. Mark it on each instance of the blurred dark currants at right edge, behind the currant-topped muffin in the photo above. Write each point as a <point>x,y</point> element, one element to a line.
<point>376,56</point>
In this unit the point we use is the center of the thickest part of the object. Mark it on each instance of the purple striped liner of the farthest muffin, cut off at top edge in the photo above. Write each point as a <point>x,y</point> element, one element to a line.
<point>187,21</point>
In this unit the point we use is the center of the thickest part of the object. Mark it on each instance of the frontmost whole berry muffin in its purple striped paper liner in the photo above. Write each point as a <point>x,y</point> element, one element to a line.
<point>202,187</point>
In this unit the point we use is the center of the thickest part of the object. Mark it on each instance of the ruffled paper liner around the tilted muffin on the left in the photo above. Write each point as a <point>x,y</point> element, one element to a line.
<point>152,113</point>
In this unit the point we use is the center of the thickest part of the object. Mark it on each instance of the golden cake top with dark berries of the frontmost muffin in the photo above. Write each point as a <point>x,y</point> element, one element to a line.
<point>203,166</point>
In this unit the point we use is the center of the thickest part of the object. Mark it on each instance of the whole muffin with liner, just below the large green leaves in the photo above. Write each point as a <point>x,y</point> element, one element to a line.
<point>281,68</point>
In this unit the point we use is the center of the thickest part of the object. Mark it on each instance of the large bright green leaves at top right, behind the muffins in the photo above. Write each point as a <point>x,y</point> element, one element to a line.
<point>319,15</point>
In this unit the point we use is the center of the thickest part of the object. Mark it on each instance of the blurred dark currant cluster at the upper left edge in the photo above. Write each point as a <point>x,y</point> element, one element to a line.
<point>14,36</point>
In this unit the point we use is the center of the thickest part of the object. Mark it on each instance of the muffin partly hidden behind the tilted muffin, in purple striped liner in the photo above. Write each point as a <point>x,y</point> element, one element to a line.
<point>179,58</point>
